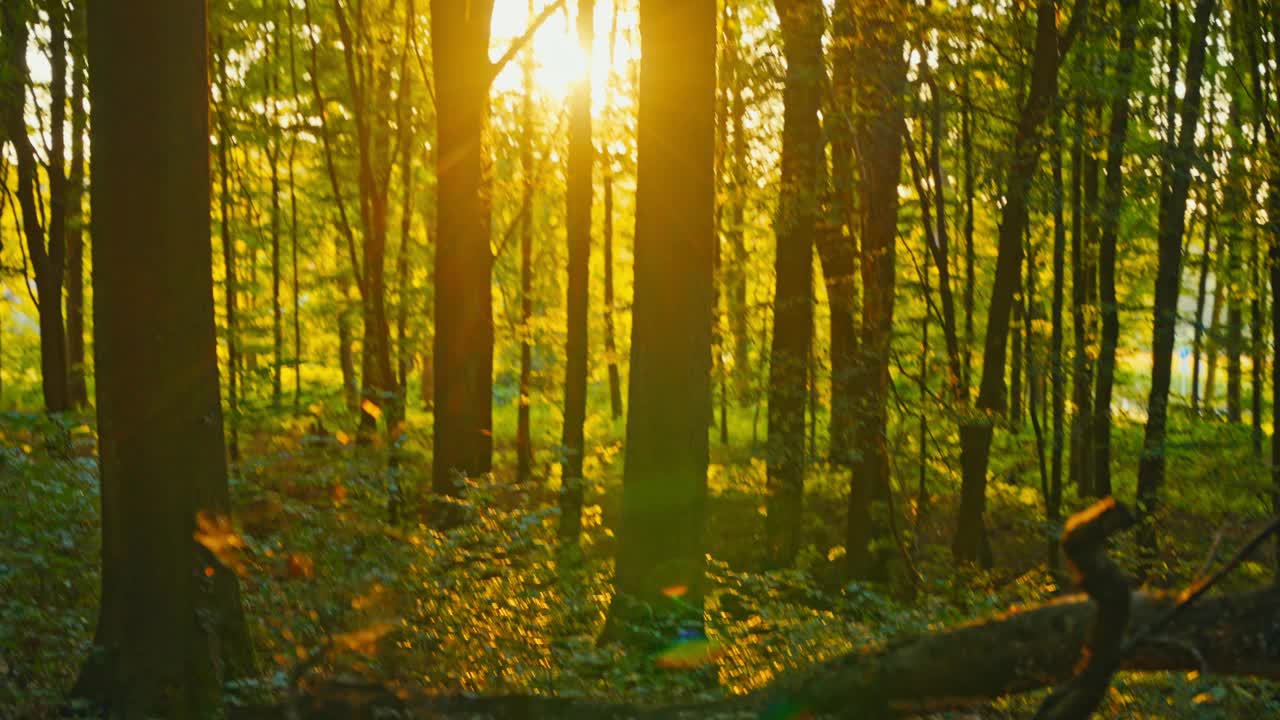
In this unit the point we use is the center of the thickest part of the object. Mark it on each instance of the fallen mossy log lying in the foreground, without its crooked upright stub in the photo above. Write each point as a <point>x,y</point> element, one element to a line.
<point>1020,651</point>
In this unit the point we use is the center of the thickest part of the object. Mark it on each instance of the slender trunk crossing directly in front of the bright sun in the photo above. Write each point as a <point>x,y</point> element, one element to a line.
<point>582,163</point>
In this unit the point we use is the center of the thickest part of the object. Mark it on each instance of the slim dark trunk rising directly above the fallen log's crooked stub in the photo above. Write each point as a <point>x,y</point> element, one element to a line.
<point>1113,203</point>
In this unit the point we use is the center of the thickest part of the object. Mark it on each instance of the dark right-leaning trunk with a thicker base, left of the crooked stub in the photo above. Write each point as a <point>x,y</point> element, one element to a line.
<point>976,435</point>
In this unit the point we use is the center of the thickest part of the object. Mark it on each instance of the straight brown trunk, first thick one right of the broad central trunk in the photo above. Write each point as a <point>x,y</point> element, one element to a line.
<point>793,302</point>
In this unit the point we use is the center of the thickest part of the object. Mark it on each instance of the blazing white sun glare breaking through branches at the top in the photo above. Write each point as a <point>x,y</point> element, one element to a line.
<point>559,57</point>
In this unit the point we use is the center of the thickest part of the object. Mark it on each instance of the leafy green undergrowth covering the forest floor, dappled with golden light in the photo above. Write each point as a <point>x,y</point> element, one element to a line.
<point>490,608</point>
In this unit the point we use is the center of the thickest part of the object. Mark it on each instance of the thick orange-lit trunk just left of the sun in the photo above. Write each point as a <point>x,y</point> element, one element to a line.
<point>464,263</point>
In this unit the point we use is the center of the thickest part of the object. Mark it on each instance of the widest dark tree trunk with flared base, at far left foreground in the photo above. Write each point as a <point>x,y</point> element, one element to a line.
<point>171,628</point>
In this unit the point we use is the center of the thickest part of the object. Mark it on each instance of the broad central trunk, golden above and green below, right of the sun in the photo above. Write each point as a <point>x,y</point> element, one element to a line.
<point>669,404</point>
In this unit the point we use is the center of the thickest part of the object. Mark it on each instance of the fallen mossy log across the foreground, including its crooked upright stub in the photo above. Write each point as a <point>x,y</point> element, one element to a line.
<point>1023,650</point>
